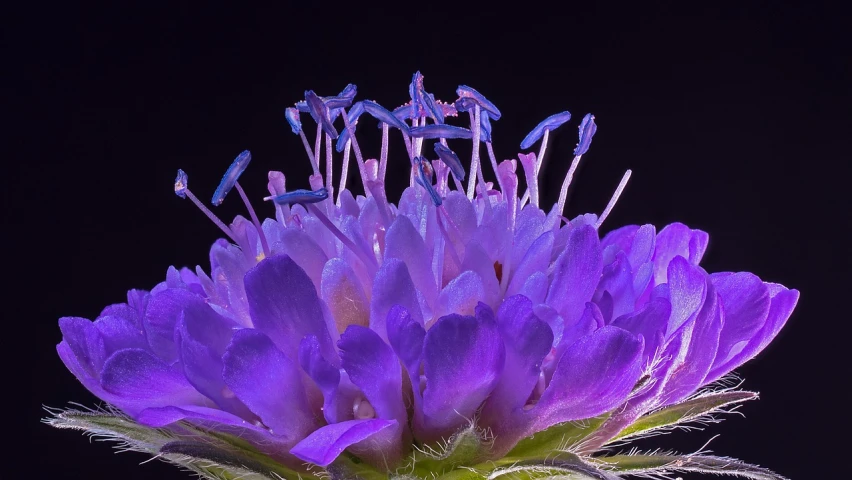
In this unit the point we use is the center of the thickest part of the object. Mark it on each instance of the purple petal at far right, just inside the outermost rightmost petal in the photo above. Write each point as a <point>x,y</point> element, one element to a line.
<point>746,302</point>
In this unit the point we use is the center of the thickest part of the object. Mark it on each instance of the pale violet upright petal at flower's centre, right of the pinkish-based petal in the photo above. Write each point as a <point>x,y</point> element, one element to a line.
<point>392,286</point>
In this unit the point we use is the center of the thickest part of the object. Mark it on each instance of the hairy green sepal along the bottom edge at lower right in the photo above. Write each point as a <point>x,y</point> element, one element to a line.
<point>646,465</point>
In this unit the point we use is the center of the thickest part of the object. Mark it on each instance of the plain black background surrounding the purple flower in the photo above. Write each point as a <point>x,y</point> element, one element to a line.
<point>735,121</point>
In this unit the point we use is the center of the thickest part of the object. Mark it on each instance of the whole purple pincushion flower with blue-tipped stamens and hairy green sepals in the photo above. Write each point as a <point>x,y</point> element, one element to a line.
<point>461,332</point>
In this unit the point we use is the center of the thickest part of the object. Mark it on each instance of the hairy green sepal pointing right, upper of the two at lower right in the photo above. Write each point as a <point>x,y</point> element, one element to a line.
<point>684,412</point>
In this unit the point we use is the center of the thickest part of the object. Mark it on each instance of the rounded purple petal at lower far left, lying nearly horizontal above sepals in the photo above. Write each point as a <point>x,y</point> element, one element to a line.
<point>141,380</point>
